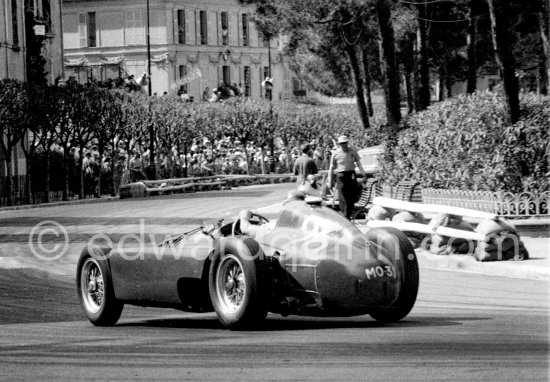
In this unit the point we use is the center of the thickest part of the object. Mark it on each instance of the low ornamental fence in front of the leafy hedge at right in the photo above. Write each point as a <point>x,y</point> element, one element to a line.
<point>524,204</point>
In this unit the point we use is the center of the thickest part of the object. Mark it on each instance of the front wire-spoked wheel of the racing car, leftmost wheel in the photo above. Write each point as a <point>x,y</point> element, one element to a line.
<point>95,288</point>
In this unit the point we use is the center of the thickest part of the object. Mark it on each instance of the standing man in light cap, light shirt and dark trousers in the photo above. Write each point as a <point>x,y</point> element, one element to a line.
<point>342,164</point>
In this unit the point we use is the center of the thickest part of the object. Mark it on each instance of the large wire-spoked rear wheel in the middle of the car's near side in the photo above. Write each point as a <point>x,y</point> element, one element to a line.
<point>239,284</point>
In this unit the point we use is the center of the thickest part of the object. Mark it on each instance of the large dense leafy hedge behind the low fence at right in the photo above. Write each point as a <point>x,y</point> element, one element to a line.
<point>467,143</point>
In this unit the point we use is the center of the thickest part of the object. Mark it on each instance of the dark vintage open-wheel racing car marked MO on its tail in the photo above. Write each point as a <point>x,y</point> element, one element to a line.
<point>311,261</point>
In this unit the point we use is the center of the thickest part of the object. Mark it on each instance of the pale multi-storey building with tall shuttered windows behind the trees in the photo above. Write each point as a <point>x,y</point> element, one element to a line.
<point>215,39</point>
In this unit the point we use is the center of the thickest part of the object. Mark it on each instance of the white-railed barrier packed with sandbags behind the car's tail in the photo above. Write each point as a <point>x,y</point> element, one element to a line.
<point>443,230</point>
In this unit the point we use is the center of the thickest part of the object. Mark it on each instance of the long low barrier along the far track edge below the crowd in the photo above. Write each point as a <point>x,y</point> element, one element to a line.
<point>194,184</point>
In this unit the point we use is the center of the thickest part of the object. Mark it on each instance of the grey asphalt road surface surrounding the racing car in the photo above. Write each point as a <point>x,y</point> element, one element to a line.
<point>464,327</point>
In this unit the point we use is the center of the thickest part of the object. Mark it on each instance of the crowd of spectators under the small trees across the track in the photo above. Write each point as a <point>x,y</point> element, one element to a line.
<point>104,173</point>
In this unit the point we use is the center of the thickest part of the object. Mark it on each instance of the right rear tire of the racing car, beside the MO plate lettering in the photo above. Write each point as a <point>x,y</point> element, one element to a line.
<point>407,266</point>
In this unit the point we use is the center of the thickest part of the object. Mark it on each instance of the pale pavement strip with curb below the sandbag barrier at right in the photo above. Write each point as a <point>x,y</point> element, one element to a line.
<point>515,269</point>
